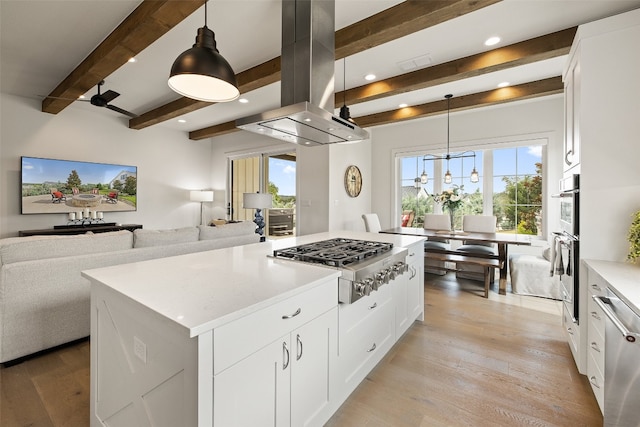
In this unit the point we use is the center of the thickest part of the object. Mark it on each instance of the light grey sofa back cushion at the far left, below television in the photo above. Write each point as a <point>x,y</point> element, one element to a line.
<point>16,249</point>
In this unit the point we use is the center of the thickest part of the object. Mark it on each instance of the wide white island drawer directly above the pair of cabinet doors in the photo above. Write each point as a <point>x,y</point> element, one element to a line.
<point>236,340</point>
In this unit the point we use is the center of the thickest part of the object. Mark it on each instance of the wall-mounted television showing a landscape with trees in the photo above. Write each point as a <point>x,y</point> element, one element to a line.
<point>62,186</point>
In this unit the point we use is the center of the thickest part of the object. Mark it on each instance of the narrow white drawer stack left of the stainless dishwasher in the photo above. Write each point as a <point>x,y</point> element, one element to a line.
<point>595,336</point>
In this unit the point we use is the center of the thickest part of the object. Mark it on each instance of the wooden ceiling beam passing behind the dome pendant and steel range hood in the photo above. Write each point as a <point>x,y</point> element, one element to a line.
<point>397,21</point>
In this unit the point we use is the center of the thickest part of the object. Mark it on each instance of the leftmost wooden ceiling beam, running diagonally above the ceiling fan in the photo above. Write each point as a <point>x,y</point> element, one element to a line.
<point>146,24</point>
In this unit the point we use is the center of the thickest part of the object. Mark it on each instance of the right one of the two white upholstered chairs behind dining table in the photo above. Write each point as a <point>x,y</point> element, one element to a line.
<point>477,224</point>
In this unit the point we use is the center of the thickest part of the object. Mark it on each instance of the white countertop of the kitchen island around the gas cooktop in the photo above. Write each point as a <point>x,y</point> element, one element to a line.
<point>204,290</point>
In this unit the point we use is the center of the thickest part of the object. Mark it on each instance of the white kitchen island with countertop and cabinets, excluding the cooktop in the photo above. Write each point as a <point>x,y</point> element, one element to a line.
<point>235,337</point>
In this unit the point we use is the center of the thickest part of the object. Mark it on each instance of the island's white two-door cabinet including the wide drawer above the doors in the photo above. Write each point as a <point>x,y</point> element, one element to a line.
<point>286,381</point>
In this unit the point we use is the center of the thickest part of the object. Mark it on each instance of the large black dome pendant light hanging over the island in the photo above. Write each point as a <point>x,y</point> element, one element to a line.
<point>202,73</point>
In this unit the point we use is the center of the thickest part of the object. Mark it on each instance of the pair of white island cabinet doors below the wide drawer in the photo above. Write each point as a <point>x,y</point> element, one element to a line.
<point>282,384</point>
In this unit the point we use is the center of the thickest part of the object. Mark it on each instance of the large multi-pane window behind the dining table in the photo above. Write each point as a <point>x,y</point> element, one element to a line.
<point>513,192</point>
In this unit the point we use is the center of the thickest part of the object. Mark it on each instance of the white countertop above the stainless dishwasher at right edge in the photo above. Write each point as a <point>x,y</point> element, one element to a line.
<point>623,277</point>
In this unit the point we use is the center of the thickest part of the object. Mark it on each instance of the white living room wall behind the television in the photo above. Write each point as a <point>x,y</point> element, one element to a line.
<point>169,164</point>
